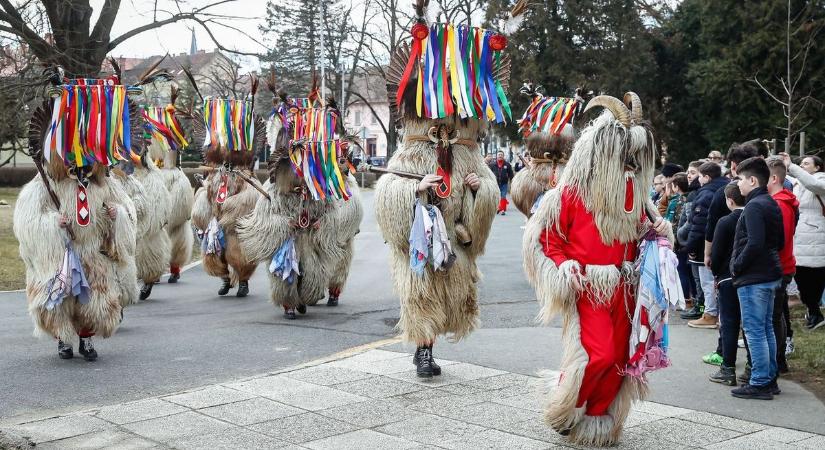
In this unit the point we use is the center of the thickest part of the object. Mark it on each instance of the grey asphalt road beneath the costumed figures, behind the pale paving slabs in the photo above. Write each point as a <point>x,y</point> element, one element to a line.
<point>186,336</point>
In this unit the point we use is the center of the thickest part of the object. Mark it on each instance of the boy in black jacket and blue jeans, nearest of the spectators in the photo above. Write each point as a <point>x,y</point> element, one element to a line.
<point>757,274</point>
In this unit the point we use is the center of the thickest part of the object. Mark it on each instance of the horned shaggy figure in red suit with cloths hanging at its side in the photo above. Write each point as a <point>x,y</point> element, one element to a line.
<point>579,252</point>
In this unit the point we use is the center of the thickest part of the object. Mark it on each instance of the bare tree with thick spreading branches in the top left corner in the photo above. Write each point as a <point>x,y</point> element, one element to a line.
<point>80,46</point>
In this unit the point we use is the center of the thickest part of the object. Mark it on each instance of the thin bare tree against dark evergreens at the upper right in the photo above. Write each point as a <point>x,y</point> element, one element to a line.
<point>802,32</point>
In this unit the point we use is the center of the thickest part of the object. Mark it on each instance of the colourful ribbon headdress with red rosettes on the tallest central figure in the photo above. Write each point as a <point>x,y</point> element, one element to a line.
<point>453,69</point>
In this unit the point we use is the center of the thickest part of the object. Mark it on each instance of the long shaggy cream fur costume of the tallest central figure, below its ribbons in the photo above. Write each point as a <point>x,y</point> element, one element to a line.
<point>438,302</point>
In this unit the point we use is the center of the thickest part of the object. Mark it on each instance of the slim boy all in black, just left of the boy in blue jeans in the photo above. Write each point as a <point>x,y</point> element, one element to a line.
<point>730,317</point>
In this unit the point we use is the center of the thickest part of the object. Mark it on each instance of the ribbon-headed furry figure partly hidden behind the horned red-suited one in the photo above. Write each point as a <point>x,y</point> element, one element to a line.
<point>548,130</point>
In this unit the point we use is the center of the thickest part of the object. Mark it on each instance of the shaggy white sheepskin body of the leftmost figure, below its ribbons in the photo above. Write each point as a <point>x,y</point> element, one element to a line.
<point>104,246</point>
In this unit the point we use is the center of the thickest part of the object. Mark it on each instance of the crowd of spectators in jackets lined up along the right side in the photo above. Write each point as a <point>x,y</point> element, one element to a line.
<point>750,229</point>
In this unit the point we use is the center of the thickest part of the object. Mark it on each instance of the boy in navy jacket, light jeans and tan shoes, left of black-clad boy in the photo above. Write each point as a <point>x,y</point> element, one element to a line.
<point>710,176</point>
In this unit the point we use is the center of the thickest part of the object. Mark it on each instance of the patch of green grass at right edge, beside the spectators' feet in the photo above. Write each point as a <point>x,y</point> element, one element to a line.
<point>807,363</point>
